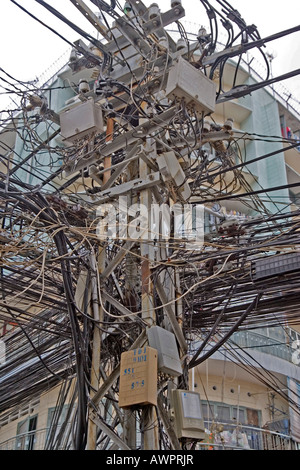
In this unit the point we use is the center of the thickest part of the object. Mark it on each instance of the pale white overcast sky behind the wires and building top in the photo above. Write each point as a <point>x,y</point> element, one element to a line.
<point>28,48</point>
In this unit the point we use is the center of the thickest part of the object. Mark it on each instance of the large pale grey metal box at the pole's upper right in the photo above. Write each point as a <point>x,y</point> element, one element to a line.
<point>188,83</point>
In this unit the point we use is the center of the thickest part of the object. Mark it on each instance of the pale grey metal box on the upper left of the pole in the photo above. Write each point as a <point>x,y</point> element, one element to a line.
<point>81,120</point>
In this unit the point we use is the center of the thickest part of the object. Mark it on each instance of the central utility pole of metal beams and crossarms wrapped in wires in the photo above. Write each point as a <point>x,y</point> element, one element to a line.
<point>150,172</point>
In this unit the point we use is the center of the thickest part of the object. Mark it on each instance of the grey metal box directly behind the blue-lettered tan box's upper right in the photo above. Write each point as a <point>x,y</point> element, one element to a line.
<point>165,343</point>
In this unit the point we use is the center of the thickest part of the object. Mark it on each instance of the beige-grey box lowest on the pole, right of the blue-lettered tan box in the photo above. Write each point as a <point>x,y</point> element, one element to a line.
<point>187,414</point>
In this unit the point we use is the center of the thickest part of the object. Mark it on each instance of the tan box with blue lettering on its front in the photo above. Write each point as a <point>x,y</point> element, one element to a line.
<point>138,378</point>
